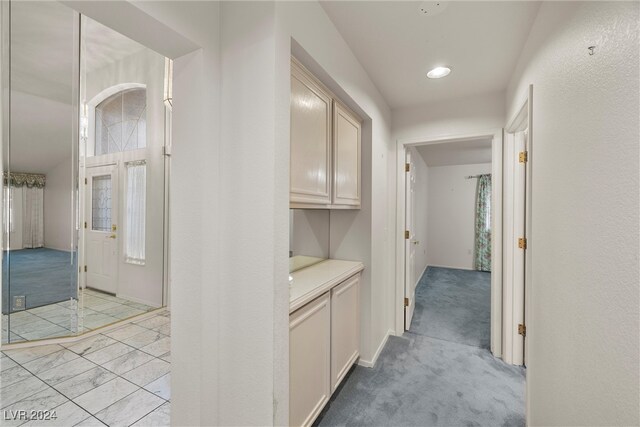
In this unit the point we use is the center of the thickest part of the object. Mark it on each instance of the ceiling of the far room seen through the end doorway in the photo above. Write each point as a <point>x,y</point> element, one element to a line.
<point>462,152</point>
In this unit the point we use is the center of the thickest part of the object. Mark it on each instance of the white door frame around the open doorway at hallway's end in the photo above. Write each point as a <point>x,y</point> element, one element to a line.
<point>496,136</point>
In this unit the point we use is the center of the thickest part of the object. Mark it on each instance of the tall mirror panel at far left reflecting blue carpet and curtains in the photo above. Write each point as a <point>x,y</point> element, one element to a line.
<point>39,288</point>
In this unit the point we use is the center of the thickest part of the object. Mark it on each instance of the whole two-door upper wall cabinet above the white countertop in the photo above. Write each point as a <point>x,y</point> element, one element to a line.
<point>325,146</point>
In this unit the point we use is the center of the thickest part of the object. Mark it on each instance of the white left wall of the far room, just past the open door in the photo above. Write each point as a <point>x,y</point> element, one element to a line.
<point>420,211</point>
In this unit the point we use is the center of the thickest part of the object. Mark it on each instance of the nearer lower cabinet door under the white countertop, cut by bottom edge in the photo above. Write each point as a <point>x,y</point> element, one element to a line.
<point>309,361</point>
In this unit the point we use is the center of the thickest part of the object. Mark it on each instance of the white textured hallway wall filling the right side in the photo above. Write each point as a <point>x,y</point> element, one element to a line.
<point>583,334</point>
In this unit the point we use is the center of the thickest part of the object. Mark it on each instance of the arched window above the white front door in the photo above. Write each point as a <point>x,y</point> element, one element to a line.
<point>121,122</point>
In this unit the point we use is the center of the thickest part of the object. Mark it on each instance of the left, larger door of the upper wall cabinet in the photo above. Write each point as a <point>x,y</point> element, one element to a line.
<point>310,140</point>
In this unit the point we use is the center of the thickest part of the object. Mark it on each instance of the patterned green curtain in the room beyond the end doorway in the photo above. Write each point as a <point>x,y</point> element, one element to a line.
<point>482,255</point>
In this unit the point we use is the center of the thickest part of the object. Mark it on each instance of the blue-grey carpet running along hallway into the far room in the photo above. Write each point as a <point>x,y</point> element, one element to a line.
<point>440,373</point>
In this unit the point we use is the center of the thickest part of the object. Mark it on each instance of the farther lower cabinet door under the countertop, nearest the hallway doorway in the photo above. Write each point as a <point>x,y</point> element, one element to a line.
<point>345,328</point>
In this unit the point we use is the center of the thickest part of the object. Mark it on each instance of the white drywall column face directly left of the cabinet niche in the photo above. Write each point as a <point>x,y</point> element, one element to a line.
<point>253,329</point>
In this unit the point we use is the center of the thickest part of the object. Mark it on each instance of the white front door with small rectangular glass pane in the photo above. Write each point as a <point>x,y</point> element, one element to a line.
<point>101,229</point>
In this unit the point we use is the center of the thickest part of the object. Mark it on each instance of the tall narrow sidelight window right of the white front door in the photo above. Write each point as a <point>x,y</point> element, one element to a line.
<point>135,221</point>
